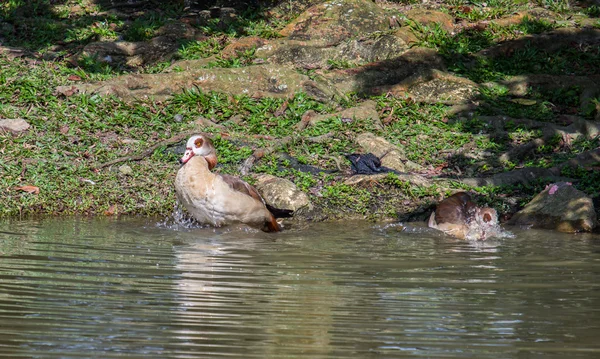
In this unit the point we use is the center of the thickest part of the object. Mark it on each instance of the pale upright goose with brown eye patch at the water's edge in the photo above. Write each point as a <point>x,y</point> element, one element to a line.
<point>219,199</point>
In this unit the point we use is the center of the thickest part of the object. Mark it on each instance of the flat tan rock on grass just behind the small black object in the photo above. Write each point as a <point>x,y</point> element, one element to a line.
<point>391,156</point>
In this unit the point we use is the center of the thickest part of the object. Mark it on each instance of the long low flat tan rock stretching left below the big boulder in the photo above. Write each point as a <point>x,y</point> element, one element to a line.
<point>257,81</point>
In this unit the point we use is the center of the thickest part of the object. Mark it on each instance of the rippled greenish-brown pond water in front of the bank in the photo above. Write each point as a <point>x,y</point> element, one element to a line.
<point>80,288</point>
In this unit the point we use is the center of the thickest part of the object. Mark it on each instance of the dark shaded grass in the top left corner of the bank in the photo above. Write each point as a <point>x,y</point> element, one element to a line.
<point>67,26</point>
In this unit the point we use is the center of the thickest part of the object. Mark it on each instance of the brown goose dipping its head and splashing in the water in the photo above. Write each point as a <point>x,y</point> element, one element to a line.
<point>458,216</point>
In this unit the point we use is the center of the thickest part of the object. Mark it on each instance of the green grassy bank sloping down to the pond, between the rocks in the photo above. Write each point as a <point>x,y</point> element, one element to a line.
<point>71,137</point>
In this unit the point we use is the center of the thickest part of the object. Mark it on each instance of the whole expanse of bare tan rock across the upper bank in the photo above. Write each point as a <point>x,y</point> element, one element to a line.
<point>331,36</point>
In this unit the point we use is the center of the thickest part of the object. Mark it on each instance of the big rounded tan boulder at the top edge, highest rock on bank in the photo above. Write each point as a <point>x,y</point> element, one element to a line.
<point>346,31</point>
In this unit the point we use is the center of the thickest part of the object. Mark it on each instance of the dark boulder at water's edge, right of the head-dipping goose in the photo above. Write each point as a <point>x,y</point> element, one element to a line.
<point>560,207</point>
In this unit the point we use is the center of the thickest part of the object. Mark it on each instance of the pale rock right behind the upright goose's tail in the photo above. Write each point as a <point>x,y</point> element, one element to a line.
<point>282,193</point>
